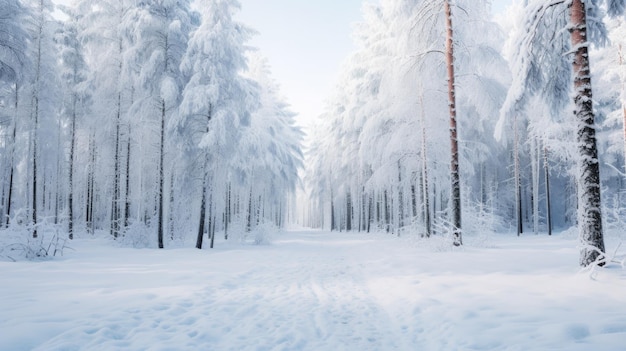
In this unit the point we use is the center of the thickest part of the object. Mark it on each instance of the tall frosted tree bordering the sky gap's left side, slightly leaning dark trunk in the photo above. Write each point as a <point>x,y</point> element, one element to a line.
<point>215,101</point>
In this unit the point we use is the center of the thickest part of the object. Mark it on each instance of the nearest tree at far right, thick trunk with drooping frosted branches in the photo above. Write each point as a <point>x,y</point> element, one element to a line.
<point>540,69</point>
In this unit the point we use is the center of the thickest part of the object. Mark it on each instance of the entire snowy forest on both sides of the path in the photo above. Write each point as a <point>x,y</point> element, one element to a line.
<point>154,121</point>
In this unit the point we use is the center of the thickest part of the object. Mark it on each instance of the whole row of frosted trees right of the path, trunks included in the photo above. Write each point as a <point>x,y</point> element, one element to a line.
<point>447,125</point>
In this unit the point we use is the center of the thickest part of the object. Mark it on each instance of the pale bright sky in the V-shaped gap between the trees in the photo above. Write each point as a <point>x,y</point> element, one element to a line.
<point>306,43</point>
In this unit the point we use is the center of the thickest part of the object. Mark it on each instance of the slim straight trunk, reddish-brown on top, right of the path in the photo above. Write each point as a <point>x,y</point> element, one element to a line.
<point>454,174</point>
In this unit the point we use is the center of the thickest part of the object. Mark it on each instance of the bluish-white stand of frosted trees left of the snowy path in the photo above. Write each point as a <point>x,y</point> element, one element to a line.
<point>153,113</point>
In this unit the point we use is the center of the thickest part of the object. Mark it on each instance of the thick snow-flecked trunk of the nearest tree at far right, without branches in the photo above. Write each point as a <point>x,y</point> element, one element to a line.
<point>589,200</point>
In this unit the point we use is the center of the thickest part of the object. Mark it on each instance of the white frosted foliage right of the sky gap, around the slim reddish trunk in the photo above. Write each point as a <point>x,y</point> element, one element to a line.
<point>382,153</point>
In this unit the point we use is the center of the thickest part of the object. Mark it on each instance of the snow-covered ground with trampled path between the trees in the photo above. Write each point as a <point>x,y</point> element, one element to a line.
<point>315,291</point>
